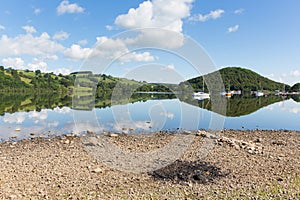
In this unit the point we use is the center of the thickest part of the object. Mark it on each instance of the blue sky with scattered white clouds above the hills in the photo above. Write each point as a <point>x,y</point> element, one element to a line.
<point>62,36</point>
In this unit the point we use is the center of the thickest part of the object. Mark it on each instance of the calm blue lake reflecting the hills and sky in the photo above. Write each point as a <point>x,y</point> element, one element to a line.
<point>25,116</point>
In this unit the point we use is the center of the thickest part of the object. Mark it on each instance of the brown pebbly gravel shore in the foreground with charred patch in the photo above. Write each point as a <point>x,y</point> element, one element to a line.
<point>241,165</point>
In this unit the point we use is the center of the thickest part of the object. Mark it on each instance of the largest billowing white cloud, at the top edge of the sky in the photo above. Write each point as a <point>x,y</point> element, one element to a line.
<point>166,14</point>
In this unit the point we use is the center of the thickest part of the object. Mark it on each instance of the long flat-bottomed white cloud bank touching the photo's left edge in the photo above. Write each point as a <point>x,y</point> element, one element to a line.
<point>28,45</point>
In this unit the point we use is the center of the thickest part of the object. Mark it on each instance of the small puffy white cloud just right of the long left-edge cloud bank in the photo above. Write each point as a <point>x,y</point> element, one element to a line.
<point>76,52</point>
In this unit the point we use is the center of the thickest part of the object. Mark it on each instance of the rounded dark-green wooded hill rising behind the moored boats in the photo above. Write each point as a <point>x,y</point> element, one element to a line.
<point>236,78</point>
